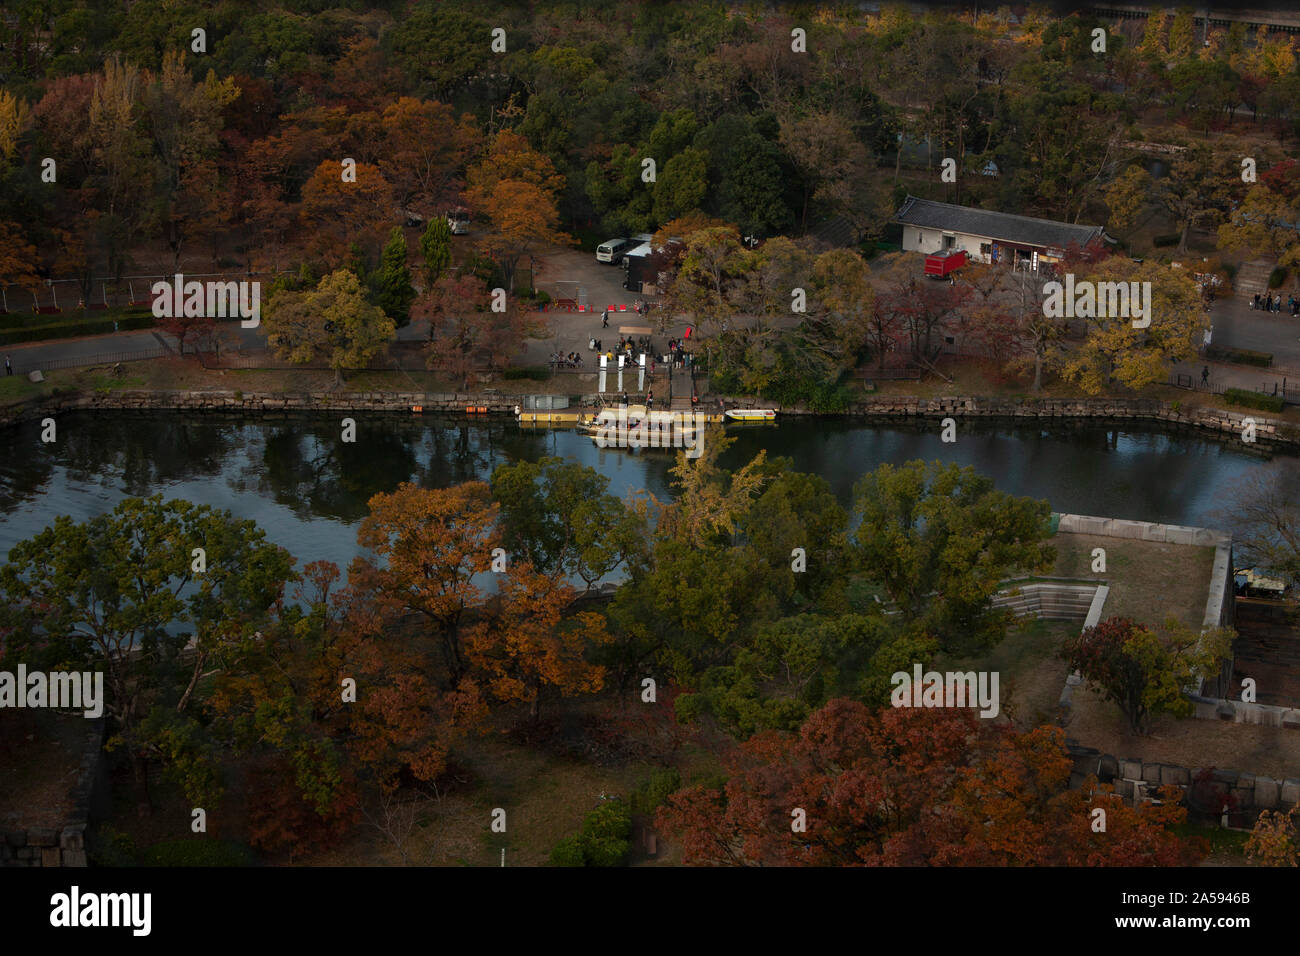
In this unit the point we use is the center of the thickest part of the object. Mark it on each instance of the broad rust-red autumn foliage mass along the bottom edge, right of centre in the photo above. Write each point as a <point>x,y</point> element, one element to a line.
<point>908,788</point>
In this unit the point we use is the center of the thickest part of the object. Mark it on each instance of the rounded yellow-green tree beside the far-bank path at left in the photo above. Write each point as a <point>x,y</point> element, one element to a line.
<point>333,322</point>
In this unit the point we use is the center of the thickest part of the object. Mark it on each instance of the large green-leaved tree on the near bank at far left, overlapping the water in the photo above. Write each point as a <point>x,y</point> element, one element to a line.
<point>123,594</point>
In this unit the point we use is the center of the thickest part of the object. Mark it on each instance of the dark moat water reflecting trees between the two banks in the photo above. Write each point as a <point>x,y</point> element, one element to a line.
<point>309,490</point>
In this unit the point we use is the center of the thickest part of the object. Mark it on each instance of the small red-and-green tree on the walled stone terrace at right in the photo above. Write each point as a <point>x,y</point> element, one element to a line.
<point>1145,672</point>
